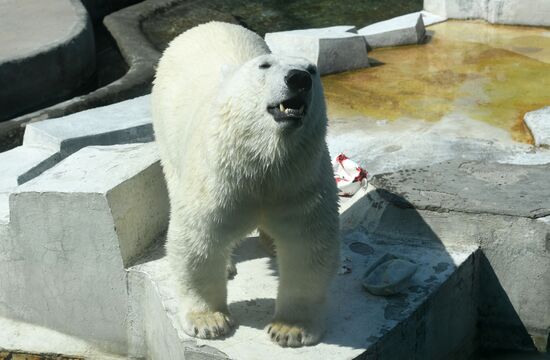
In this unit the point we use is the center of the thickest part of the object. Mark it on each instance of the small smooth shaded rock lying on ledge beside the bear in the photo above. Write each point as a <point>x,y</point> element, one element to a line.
<point>388,275</point>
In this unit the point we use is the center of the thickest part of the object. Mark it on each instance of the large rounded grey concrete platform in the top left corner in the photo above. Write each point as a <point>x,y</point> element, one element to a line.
<point>45,45</point>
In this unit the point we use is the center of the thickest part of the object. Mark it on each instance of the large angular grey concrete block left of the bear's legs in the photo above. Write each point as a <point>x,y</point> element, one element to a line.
<point>73,230</point>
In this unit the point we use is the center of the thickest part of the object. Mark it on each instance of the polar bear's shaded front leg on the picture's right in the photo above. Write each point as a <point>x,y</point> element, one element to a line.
<point>308,254</point>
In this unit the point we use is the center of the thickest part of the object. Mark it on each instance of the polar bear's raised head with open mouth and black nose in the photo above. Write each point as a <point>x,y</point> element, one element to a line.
<point>273,96</point>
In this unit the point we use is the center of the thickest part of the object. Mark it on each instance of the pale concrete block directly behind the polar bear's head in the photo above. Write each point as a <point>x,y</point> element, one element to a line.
<point>333,49</point>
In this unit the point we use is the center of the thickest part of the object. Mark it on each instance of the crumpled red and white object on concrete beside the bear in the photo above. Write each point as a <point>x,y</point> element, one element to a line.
<point>349,176</point>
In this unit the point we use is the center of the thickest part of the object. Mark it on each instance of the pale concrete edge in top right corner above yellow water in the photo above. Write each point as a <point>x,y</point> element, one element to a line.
<point>533,12</point>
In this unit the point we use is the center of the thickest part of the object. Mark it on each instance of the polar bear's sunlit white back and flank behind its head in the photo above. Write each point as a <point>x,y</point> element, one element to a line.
<point>188,79</point>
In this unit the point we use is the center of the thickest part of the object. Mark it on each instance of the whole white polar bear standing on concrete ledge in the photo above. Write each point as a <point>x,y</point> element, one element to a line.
<point>241,136</point>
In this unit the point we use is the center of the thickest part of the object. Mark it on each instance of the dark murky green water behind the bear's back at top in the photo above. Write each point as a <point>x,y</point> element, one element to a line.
<point>264,16</point>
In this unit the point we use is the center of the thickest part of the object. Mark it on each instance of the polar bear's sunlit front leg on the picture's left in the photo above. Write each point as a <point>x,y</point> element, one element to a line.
<point>198,259</point>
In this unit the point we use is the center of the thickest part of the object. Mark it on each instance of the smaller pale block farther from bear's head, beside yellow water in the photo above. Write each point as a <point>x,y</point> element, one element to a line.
<point>402,30</point>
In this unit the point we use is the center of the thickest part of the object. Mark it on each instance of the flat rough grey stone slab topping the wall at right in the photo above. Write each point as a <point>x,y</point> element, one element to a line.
<point>473,187</point>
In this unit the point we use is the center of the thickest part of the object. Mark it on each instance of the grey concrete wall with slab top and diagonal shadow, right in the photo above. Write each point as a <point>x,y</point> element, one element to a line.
<point>494,206</point>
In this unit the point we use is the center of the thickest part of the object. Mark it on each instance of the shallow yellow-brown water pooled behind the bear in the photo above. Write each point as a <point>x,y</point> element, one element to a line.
<point>491,73</point>
